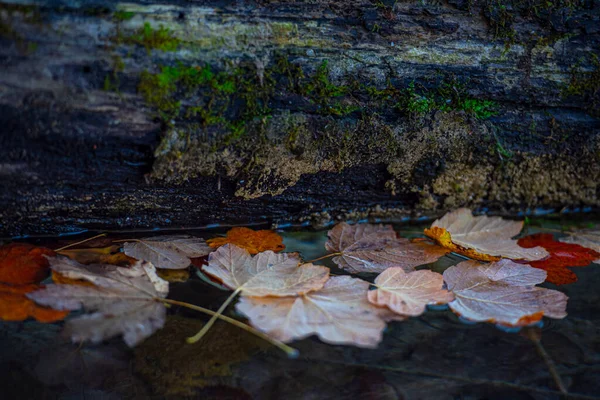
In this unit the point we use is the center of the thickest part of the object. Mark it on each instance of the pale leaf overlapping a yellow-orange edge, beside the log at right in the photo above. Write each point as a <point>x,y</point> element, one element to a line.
<point>482,238</point>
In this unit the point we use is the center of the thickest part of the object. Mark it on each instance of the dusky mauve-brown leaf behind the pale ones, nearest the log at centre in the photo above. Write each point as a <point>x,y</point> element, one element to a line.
<point>374,248</point>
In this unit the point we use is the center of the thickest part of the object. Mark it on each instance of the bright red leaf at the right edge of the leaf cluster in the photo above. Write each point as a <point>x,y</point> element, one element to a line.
<point>562,255</point>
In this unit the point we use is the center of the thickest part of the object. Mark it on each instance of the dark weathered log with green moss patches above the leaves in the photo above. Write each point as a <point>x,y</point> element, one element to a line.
<point>186,113</point>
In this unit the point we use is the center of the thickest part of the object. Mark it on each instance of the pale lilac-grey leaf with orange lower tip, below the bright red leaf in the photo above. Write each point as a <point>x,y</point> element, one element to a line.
<point>502,292</point>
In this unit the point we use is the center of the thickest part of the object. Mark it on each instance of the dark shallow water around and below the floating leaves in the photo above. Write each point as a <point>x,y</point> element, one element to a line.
<point>434,356</point>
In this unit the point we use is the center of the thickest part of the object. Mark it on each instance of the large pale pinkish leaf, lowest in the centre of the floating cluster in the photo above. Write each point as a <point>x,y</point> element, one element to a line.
<point>339,313</point>
